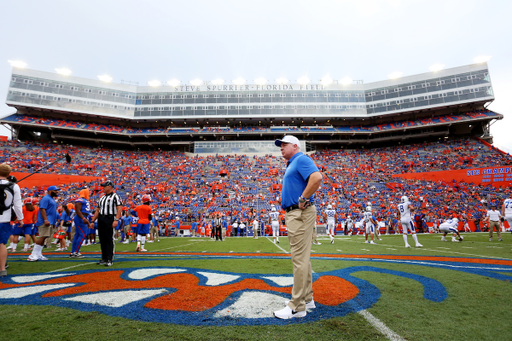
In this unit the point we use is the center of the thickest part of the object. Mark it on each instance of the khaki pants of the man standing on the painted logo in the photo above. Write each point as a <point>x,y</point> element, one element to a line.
<point>300,225</point>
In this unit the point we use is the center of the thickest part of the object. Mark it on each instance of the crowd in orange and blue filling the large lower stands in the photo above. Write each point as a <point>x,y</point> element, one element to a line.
<point>239,187</point>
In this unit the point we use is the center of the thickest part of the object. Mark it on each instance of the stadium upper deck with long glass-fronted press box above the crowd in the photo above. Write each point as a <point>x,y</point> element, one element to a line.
<point>226,107</point>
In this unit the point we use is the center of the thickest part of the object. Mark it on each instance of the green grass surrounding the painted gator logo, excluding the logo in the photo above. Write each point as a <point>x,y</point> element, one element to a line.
<point>476,306</point>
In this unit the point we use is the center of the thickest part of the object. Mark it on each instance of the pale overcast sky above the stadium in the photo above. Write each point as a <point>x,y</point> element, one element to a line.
<point>366,40</point>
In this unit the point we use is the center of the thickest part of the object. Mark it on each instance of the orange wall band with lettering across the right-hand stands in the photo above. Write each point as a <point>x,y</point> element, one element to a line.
<point>497,176</point>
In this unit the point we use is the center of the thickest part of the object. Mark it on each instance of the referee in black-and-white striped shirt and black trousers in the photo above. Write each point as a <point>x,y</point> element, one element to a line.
<point>108,214</point>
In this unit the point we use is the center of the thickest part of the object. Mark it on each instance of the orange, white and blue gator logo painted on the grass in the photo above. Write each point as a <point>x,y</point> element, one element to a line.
<point>199,297</point>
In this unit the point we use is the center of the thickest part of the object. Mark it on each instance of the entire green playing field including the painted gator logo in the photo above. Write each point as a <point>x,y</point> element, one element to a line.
<point>199,289</point>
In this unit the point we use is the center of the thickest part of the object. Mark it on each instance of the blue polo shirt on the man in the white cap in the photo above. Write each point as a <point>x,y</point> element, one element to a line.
<point>299,168</point>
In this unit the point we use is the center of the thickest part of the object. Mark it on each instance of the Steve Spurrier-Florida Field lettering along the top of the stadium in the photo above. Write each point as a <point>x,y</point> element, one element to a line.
<point>273,87</point>
